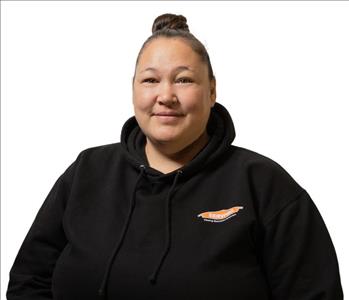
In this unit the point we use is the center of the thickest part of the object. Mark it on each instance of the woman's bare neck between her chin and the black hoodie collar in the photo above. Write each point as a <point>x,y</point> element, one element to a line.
<point>165,158</point>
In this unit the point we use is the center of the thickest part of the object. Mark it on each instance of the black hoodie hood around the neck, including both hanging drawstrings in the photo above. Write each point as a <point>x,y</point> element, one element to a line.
<point>221,130</point>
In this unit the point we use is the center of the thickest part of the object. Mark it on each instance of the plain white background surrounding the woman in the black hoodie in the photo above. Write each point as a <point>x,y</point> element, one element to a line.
<point>282,71</point>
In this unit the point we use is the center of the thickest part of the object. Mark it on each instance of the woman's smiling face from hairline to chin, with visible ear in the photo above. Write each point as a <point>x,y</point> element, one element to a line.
<point>171,78</point>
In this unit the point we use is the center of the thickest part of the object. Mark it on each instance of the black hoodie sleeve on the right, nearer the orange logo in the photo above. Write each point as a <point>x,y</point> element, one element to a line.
<point>298,255</point>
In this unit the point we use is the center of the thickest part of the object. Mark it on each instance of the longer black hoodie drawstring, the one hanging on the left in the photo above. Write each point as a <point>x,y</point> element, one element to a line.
<point>102,289</point>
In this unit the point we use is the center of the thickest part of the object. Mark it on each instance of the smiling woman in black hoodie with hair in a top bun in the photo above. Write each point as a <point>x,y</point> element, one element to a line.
<point>175,211</point>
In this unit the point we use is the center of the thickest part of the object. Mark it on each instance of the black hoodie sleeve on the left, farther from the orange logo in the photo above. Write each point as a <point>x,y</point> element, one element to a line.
<point>30,275</point>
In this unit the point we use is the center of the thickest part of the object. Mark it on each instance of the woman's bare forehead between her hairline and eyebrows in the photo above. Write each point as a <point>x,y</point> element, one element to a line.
<point>167,53</point>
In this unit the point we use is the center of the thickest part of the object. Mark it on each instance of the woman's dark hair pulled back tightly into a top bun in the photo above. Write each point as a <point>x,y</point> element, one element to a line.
<point>174,26</point>
